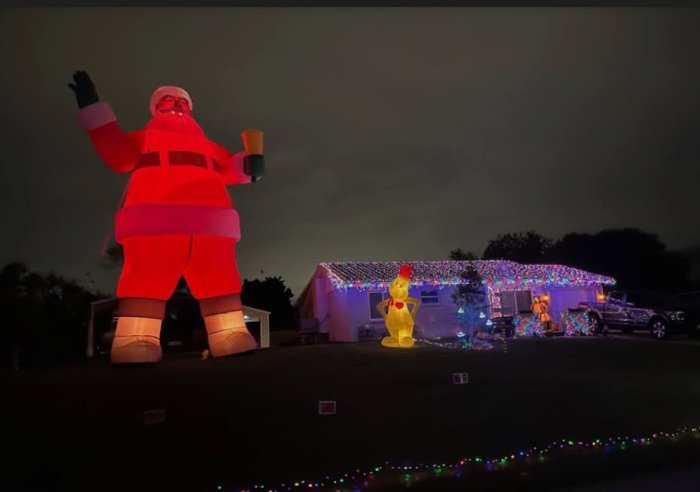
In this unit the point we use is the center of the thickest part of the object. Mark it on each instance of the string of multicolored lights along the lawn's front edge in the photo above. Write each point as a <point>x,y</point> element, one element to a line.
<point>387,474</point>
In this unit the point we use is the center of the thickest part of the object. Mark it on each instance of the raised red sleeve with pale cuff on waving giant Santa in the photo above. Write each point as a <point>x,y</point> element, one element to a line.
<point>118,149</point>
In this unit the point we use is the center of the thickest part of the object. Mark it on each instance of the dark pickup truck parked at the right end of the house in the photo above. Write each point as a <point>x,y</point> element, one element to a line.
<point>637,310</point>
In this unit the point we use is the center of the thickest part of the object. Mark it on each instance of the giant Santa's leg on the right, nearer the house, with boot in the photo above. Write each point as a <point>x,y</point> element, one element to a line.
<point>213,278</point>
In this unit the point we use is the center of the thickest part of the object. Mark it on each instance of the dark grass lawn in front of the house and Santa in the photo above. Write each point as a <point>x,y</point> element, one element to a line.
<point>253,418</point>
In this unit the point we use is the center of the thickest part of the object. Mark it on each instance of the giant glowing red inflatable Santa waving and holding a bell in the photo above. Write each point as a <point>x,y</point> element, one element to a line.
<point>176,219</point>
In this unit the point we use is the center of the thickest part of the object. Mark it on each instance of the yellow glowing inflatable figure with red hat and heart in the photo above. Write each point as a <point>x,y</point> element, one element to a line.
<point>399,319</point>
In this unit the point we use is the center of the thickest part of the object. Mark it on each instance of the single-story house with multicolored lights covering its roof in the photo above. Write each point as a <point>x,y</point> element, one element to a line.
<point>340,299</point>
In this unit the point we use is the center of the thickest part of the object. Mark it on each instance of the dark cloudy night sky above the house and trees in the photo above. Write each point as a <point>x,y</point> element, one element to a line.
<point>391,133</point>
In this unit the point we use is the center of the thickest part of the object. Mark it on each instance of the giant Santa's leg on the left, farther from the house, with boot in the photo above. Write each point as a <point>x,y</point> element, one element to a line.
<point>152,267</point>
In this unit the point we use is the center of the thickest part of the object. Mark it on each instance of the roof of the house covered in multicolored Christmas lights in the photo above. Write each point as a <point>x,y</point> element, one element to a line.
<point>496,274</point>
